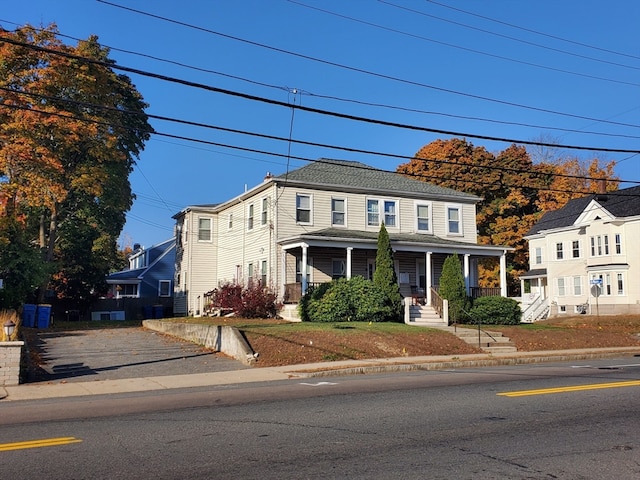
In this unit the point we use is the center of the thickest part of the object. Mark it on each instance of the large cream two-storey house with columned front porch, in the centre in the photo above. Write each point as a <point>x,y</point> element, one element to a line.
<point>321,222</point>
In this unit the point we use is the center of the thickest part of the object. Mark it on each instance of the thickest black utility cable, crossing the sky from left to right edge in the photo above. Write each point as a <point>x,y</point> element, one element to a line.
<point>316,110</point>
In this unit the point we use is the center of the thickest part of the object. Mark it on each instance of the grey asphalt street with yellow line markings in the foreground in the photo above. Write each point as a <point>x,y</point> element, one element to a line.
<point>463,424</point>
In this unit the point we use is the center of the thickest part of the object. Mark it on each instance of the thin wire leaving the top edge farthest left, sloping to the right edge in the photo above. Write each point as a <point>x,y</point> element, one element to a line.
<point>359,70</point>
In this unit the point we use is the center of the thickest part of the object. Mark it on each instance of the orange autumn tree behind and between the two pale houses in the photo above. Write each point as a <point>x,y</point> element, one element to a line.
<point>514,192</point>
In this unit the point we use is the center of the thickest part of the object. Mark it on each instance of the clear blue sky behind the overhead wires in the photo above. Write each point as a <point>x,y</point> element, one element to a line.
<point>566,72</point>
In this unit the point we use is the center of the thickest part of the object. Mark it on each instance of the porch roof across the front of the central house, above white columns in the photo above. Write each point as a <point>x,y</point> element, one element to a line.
<point>339,237</point>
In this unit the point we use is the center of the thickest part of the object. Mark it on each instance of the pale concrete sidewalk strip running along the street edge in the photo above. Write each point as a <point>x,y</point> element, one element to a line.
<point>60,389</point>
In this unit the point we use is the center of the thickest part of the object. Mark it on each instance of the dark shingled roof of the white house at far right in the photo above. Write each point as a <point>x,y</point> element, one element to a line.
<point>621,203</point>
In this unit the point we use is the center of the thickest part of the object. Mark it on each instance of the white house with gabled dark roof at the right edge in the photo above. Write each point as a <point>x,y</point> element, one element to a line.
<point>585,257</point>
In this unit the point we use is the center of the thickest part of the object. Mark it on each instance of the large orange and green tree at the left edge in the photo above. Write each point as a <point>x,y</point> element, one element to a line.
<point>71,131</point>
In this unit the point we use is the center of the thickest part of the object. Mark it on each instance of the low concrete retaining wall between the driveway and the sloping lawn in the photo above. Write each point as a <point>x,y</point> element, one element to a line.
<point>220,338</point>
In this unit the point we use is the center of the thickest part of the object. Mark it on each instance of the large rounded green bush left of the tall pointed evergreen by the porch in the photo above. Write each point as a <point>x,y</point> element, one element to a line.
<point>343,300</point>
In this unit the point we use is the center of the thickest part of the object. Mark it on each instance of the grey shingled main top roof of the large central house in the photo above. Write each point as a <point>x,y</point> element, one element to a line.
<point>356,175</point>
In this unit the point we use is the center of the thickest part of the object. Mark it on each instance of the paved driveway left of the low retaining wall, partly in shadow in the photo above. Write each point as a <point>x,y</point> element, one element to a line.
<point>109,354</point>
